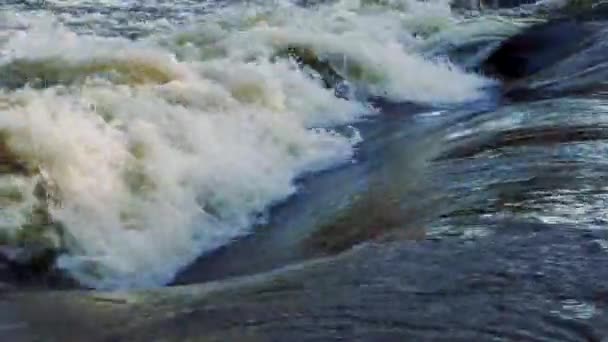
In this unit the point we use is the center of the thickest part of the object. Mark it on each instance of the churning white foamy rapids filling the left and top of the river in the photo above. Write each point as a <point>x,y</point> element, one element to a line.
<point>136,144</point>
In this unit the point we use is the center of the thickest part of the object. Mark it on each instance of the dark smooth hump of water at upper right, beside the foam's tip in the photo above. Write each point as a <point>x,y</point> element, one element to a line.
<point>565,56</point>
